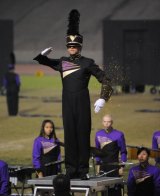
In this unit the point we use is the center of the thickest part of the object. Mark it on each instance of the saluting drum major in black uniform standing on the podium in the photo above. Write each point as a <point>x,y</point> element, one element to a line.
<point>76,71</point>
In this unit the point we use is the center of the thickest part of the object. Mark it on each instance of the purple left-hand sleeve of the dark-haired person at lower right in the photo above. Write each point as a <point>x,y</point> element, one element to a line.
<point>131,184</point>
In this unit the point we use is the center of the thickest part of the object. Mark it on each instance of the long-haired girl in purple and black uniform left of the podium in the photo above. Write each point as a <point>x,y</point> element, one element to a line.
<point>46,150</point>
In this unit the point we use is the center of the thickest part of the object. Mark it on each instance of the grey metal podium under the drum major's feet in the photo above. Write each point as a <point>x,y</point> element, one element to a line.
<point>89,187</point>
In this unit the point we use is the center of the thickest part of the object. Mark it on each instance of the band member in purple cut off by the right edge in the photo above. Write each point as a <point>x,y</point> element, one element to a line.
<point>156,144</point>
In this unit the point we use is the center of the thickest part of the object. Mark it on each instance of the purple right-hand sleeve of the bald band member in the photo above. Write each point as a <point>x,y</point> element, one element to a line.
<point>122,146</point>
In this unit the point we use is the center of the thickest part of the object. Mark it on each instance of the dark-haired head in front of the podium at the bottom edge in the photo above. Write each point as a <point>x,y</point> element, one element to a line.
<point>61,184</point>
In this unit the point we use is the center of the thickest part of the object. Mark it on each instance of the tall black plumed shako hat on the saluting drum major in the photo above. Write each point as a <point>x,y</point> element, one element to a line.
<point>73,37</point>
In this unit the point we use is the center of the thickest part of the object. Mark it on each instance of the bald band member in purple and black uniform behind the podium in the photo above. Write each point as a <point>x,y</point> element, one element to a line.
<point>111,142</point>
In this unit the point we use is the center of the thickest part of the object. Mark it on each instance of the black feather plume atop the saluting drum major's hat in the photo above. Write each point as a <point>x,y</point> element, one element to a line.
<point>73,26</point>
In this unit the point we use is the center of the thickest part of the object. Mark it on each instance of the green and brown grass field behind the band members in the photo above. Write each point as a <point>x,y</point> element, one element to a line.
<point>18,133</point>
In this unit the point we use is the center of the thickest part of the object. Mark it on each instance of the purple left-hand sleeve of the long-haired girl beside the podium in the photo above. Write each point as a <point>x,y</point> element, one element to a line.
<point>36,154</point>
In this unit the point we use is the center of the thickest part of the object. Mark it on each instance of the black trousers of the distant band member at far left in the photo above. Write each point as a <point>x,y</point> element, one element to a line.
<point>12,103</point>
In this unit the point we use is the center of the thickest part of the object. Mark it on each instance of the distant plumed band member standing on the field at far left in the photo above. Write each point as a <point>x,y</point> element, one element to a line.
<point>11,82</point>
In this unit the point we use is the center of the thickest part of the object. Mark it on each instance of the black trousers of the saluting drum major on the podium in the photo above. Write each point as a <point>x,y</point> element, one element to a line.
<point>77,128</point>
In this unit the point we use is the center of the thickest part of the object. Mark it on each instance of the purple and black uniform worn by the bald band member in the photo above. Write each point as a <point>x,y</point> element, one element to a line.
<point>111,144</point>
